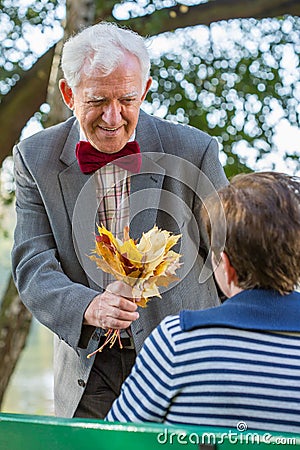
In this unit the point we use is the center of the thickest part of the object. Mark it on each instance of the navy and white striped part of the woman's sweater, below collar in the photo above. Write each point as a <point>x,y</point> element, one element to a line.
<point>215,376</point>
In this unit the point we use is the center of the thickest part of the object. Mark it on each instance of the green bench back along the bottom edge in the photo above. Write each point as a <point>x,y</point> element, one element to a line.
<point>25,432</point>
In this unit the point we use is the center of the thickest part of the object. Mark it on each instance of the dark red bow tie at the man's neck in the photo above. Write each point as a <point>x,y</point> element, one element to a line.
<point>90,159</point>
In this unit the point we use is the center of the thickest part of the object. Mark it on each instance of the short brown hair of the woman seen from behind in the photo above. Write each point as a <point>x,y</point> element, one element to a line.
<point>262,212</point>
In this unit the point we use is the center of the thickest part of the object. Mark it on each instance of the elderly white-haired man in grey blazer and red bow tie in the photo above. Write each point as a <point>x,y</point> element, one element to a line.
<point>69,172</point>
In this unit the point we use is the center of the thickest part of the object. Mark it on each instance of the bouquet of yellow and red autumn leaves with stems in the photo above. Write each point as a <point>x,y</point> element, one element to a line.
<point>143,265</point>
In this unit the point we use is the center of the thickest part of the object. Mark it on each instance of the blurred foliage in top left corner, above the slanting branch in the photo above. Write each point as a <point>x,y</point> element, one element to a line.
<point>25,29</point>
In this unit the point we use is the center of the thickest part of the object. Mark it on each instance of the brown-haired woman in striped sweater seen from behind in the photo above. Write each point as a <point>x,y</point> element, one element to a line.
<point>239,361</point>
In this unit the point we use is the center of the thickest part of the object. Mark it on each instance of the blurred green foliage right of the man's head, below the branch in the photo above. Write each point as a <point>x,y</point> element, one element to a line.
<point>235,80</point>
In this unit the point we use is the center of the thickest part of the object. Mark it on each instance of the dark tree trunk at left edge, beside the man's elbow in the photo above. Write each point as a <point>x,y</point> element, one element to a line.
<point>15,322</point>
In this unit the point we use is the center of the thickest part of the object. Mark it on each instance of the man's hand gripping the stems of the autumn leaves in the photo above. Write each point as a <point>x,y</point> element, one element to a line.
<point>113,308</point>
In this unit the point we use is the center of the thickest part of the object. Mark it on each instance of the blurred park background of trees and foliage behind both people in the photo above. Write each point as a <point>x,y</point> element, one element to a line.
<point>228,67</point>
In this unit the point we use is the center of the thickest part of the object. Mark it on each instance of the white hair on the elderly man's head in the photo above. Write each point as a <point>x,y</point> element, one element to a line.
<point>102,46</point>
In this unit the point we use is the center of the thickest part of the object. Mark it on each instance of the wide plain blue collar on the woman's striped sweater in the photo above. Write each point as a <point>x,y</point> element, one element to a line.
<point>256,309</point>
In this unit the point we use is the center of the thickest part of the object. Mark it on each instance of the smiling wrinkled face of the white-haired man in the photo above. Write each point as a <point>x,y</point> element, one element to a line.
<point>107,107</point>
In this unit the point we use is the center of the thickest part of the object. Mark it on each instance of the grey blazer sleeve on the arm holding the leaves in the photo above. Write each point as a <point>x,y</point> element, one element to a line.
<point>52,297</point>
